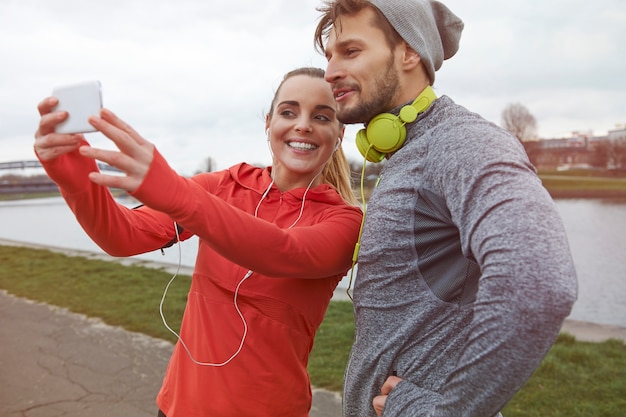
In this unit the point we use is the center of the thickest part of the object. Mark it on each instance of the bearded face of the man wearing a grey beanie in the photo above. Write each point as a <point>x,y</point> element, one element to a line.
<point>361,68</point>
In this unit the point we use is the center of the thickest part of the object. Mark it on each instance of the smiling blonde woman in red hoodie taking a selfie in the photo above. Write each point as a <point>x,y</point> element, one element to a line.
<point>273,245</point>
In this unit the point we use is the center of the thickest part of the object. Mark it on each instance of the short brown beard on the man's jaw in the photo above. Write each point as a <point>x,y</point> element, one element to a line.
<point>381,96</point>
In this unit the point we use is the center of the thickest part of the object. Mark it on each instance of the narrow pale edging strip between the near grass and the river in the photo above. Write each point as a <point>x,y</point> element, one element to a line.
<point>582,330</point>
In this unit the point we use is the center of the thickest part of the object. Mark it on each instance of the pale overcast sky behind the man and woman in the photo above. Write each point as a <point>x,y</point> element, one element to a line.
<point>195,77</point>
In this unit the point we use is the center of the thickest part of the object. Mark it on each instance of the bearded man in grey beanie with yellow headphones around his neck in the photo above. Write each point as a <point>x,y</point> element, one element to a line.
<point>465,275</point>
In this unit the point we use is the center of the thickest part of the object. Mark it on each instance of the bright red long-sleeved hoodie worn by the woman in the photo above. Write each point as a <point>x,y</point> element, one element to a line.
<point>284,301</point>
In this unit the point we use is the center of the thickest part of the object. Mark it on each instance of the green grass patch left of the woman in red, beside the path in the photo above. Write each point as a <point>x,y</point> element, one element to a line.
<point>119,295</point>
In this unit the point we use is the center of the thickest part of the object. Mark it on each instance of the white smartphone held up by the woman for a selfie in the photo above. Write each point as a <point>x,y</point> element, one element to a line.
<point>80,101</point>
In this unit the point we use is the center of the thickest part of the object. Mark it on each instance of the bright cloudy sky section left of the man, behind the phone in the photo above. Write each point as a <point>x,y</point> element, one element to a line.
<point>192,76</point>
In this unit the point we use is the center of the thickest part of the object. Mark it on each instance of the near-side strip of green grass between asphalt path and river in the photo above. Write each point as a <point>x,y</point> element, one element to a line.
<point>575,379</point>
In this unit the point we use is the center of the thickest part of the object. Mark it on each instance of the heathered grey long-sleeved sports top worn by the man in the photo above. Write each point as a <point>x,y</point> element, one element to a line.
<point>464,274</point>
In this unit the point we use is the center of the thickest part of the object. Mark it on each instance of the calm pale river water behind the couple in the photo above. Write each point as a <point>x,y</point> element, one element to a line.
<point>596,230</point>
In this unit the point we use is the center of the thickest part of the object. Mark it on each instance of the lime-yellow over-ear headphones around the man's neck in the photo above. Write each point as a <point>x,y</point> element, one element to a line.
<point>386,133</point>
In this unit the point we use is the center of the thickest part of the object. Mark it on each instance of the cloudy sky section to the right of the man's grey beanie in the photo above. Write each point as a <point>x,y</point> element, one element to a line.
<point>560,59</point>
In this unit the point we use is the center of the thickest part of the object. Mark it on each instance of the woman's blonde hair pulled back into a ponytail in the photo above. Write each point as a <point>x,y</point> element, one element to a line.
<point>337,171</point>
